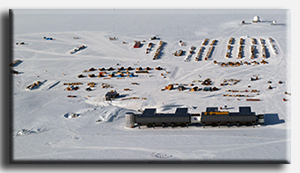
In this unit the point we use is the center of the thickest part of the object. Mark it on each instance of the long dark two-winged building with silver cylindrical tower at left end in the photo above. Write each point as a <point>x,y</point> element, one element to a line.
<point>181,117</point>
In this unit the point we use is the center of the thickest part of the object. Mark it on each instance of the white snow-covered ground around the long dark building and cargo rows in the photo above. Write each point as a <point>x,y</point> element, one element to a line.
<point>41,127</point>
